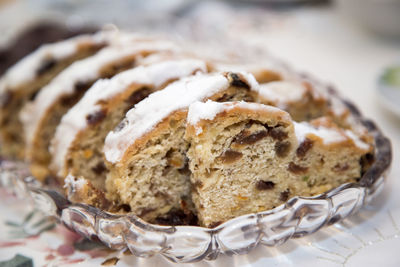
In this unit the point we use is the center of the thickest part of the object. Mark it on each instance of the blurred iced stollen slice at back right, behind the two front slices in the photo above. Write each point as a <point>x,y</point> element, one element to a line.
<point>306,99</point>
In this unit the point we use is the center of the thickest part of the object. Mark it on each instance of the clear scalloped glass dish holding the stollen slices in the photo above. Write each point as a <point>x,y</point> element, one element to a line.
<point>299,216</point>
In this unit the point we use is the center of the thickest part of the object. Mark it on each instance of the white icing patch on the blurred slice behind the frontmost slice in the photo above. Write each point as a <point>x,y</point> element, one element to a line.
<point>282,92</point>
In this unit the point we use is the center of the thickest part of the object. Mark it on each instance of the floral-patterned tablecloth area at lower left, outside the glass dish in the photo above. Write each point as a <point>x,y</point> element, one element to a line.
<point>28,237</point>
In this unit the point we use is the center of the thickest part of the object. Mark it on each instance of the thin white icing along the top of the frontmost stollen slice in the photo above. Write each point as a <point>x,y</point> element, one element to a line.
<point>207,111</point>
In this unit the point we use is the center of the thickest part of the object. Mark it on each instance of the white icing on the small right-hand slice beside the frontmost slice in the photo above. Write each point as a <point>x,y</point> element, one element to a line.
<point>328,135</point>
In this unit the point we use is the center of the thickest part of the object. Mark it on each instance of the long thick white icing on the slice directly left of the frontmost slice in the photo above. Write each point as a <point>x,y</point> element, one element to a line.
<point>152,110</point>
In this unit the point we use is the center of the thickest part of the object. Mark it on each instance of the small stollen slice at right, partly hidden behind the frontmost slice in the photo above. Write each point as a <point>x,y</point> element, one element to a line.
<point>327,156</point>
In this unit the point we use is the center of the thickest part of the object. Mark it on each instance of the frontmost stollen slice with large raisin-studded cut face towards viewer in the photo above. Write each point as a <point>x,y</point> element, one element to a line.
<point>237,157</point>
